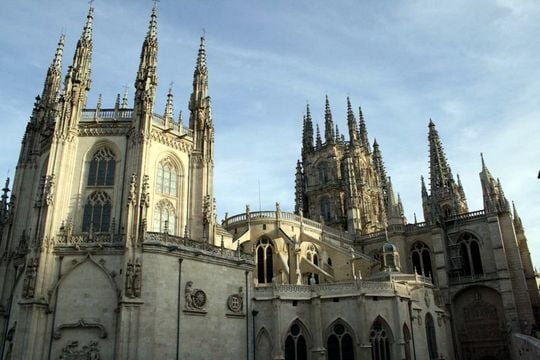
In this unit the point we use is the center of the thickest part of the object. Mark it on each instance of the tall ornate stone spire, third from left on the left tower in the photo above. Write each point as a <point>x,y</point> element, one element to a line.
<point>147,80</point>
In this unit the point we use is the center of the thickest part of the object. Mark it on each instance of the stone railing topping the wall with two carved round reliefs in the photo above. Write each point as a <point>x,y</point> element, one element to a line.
<point>188,244</point>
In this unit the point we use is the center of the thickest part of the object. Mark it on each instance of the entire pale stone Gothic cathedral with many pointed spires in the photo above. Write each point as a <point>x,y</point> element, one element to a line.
<point>110,246</point>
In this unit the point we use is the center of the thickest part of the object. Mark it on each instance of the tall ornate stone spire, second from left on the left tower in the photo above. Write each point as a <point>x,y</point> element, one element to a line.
<point>77,82</point>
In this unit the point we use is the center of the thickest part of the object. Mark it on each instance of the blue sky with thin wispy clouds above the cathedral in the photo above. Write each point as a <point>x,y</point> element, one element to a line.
<point>472,67</point>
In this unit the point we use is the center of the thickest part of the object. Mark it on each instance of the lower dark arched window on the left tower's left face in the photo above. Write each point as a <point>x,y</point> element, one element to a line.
<point>97,212</point>
